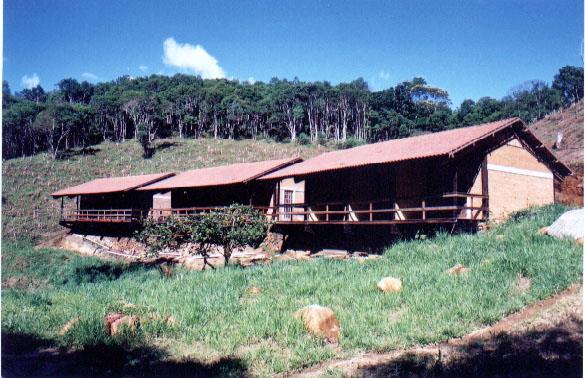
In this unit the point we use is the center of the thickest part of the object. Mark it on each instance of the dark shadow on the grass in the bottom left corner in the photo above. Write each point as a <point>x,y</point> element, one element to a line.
<point>25,355</point>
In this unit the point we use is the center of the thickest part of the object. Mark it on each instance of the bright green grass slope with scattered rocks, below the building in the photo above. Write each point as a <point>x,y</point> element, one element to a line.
<point>215,317</point>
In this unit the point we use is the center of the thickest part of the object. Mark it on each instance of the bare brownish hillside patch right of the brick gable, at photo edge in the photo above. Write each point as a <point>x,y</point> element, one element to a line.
<point>570,123</point>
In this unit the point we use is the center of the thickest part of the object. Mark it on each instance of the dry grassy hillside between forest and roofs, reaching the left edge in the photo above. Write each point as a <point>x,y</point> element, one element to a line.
<point>27,182</point>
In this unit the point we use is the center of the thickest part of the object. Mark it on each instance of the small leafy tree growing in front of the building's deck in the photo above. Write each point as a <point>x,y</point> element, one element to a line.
<point>229,228</point>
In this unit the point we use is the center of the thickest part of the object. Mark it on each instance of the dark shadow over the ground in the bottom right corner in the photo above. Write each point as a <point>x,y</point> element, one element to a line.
<point>553,352</point>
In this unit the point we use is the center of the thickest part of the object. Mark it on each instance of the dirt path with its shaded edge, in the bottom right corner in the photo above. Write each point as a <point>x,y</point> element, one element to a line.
<point>544,339</point>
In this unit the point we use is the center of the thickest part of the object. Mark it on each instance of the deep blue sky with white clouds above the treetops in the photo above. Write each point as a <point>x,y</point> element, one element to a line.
<point>470,48</point>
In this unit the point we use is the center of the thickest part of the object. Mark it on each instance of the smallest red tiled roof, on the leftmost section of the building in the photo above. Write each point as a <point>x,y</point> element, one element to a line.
<point>111,184</point>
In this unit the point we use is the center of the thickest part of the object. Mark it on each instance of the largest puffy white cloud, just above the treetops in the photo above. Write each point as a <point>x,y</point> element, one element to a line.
<point>193,58</point>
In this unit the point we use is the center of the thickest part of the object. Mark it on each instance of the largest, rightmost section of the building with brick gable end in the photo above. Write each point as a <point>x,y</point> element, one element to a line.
<point>457,176</point>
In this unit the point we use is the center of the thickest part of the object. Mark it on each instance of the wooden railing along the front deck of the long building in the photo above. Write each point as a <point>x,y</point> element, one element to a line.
<point>450,207</point>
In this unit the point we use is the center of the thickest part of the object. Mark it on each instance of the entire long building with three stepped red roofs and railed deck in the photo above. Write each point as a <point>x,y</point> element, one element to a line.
<point>456,177</point>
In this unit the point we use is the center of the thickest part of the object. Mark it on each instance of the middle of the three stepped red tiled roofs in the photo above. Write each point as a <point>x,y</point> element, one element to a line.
<point>222,175</point>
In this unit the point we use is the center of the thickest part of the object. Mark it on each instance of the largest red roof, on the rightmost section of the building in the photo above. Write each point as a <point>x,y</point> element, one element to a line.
<point>392,151</point>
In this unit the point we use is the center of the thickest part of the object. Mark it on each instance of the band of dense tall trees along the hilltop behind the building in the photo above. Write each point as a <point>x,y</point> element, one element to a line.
<point>78,114</point>
